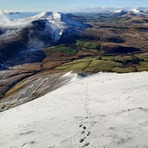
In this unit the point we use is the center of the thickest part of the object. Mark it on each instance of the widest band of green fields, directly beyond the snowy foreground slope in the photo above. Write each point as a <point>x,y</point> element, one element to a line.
<point>119,64</point>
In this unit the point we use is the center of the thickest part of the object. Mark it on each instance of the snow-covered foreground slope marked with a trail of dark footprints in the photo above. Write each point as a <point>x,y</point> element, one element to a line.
<point>105,110</point>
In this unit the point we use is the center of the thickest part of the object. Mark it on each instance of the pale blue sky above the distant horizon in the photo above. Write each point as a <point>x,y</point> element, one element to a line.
<point>65,5</point>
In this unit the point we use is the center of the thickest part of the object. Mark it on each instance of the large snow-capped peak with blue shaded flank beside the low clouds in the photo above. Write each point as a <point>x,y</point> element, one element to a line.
<point>57,23</point>
